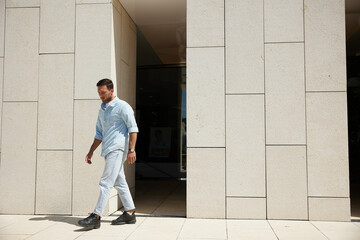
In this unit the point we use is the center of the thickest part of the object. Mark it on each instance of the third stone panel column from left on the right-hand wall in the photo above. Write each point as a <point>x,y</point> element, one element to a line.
<point>285,110</point>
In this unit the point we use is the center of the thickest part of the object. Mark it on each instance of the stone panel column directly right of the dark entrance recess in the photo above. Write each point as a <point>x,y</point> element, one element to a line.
<point>206,109</point>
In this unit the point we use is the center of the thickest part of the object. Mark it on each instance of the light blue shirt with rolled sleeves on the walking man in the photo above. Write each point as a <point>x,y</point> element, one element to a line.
<point>115,121</point>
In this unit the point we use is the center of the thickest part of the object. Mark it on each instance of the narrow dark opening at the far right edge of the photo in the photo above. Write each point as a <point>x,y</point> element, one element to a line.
<point>353,95</point>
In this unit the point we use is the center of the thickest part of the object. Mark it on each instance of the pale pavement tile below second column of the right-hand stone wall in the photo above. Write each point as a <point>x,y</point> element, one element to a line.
<point>249,230</point>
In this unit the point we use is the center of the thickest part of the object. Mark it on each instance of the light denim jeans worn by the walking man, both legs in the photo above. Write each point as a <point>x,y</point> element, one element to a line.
<point>114,176</point>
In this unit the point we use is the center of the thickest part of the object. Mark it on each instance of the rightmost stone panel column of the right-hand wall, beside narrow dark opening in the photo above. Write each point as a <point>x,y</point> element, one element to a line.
<point>326,111</point>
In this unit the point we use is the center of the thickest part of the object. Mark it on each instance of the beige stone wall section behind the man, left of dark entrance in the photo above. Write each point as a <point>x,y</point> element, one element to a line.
<point>52,55</point>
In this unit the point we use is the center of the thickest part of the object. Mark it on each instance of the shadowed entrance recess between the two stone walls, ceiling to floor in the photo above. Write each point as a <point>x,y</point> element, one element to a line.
<point>160,106</point>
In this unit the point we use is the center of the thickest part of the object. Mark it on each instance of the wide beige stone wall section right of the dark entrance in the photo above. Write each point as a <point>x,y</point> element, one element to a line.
<point>267,119</point>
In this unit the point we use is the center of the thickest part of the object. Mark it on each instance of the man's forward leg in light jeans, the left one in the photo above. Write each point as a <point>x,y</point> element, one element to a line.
<point>111,170</point>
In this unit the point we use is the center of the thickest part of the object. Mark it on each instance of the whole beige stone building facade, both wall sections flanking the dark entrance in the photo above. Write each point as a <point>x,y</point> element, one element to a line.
<point>266,105</point>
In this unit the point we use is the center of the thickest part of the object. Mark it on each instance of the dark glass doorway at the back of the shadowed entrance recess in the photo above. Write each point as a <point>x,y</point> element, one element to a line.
<point>161,115</point>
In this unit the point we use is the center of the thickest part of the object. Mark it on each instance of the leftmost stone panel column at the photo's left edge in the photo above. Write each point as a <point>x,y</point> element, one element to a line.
<point>20,104</point>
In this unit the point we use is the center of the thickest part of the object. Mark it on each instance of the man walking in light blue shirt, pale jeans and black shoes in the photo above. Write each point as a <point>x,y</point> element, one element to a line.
<point>116,129</point>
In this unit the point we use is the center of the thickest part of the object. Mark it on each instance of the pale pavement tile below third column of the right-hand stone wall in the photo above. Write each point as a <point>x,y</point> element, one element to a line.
<point>296,230</point>
